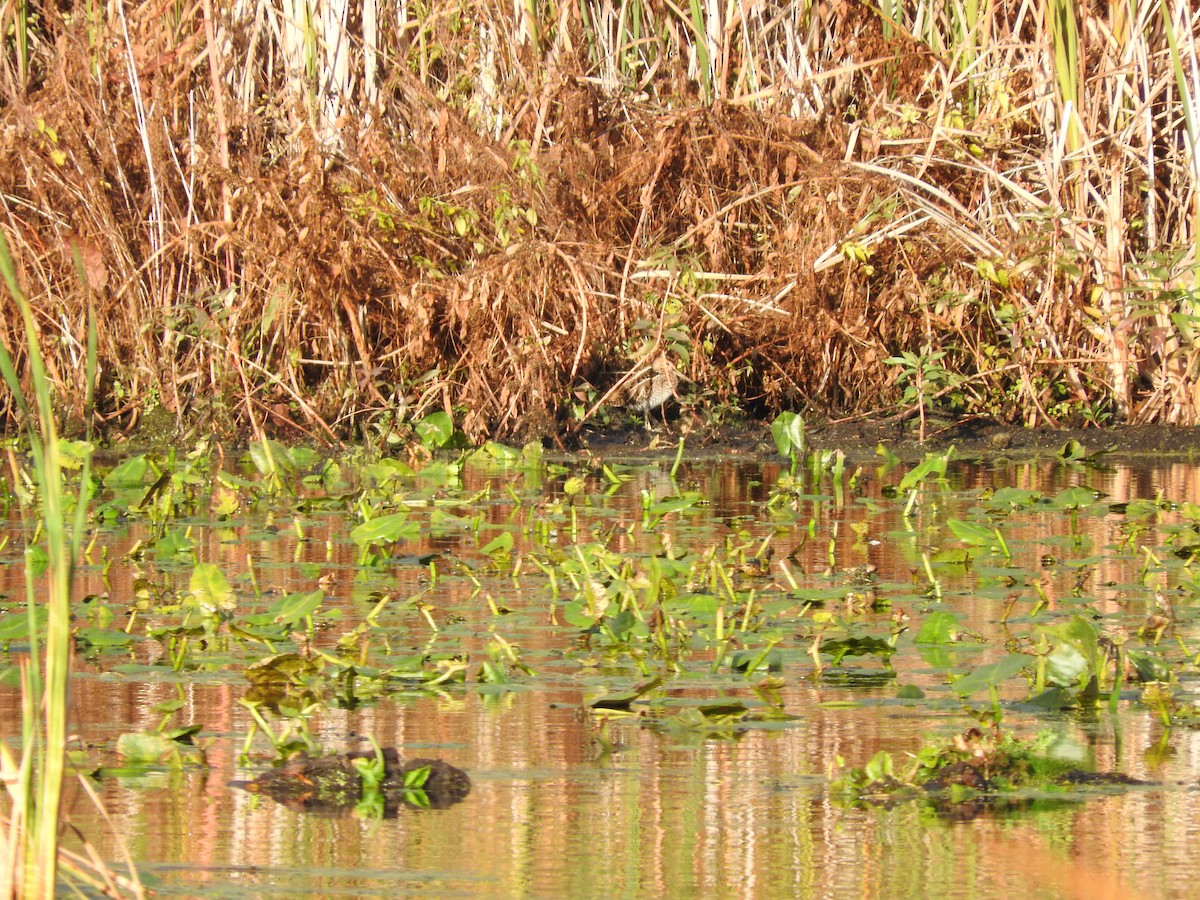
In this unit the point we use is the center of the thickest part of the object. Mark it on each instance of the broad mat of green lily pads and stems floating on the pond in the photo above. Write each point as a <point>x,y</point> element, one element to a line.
<point>1009,619</point>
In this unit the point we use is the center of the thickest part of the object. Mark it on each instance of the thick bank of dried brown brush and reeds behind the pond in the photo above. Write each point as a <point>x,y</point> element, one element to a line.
<point>494,217</point>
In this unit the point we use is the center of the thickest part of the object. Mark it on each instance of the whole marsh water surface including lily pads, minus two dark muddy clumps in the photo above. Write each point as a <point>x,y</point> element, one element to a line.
<point>694,778</point>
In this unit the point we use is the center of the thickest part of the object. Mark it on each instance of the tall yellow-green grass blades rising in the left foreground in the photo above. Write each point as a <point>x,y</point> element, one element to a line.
<point>35,782</point>
